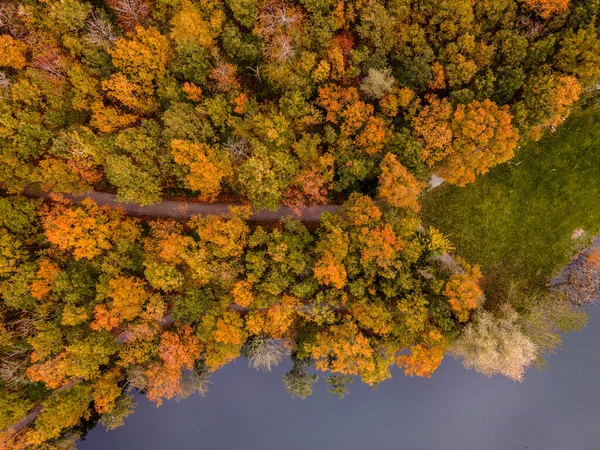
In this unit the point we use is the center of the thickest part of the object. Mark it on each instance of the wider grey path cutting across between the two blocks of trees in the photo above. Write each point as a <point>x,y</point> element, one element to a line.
<point>186,210</point>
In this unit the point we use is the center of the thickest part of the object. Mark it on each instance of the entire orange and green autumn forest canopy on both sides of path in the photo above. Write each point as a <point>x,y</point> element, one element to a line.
<point>260,103</point>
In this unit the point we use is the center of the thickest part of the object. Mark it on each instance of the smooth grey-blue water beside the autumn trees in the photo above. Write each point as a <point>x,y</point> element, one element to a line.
<point>558,408</point>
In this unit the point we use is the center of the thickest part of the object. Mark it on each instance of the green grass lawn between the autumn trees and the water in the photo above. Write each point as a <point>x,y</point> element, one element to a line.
<point>517,220</point>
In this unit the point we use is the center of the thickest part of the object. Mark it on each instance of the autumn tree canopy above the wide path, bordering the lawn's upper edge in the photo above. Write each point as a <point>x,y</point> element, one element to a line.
<point>278,102</point>
